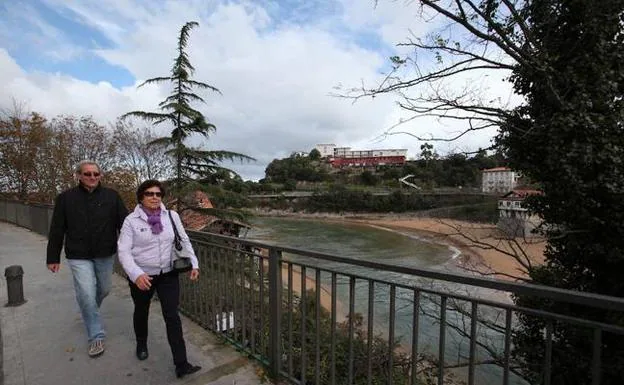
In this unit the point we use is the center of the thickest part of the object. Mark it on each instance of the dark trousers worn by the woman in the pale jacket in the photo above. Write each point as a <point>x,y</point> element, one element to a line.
<point>168,288</point>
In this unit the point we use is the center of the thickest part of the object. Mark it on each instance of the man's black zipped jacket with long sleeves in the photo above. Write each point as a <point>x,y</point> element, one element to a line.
<point>88,223</point>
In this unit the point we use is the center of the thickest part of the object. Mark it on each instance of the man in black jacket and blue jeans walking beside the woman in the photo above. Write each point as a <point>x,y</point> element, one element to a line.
<point>88,218</point>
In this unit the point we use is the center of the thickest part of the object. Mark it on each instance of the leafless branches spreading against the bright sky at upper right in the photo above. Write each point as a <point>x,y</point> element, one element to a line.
<point>476,38</point>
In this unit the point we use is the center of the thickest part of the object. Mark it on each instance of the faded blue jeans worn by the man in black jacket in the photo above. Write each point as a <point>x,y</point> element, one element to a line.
<point>92,282</point>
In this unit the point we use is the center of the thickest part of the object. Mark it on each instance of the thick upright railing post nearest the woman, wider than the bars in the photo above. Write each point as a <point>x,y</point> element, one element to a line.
<point>275,312</point>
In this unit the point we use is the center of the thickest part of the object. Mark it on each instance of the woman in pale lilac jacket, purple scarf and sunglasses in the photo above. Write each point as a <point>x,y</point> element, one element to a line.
<point>145,251</point>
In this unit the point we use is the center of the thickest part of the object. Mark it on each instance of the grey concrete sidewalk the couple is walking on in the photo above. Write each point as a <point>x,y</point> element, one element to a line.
<point>45,340</point>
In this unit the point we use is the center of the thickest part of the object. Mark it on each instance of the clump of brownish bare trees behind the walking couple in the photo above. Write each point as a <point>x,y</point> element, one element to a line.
<point>38,156</point>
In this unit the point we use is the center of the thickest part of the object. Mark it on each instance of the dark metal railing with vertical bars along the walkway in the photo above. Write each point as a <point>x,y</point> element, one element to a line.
<point>316,318</point>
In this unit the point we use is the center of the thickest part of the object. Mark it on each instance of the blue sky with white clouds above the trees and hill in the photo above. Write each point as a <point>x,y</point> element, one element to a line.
<point>278,65</point>
